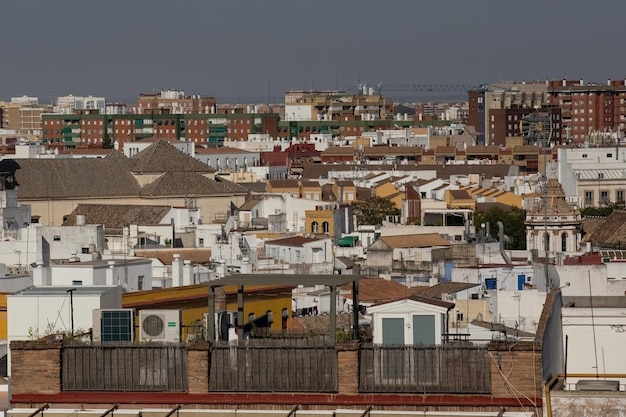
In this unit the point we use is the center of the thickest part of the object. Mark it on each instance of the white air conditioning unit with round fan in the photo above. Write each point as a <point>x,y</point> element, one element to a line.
<point>159,325</point>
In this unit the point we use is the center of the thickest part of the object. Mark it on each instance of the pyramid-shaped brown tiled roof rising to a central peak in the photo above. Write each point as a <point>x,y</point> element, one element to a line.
<point>163,157</point>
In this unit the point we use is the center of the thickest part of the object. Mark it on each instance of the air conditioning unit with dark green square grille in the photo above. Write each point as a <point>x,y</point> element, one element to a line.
<point>113,325</point>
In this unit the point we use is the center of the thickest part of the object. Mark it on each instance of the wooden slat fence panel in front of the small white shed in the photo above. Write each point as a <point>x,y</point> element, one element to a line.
<point>424,369</point>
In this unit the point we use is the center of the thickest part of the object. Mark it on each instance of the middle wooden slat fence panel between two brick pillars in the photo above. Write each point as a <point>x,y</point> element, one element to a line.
<point>286,367</point>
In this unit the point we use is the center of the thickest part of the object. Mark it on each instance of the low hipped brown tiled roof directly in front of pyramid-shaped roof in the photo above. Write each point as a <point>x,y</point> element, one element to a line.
<point>190,184</point>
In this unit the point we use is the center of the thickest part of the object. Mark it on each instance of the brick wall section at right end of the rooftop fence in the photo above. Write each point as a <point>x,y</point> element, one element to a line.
<point>515,370</point>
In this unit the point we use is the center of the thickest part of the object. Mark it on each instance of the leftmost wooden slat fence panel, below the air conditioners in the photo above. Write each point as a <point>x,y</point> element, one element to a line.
<point>124,367</point>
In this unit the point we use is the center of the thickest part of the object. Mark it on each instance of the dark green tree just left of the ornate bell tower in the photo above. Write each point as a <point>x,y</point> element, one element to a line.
<point>512,219</point>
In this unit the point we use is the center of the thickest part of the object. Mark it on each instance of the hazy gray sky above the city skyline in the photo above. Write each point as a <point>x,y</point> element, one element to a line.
<point>245,48</point>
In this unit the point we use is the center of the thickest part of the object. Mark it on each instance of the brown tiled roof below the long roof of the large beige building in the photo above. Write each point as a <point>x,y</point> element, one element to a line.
<point>114,216</point>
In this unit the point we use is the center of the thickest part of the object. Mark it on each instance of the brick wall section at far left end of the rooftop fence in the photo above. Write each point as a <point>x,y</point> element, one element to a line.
<point>35,367</point>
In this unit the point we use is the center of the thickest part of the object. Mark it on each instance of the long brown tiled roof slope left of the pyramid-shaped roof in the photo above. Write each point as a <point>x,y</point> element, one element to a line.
<point>40,179</point>
